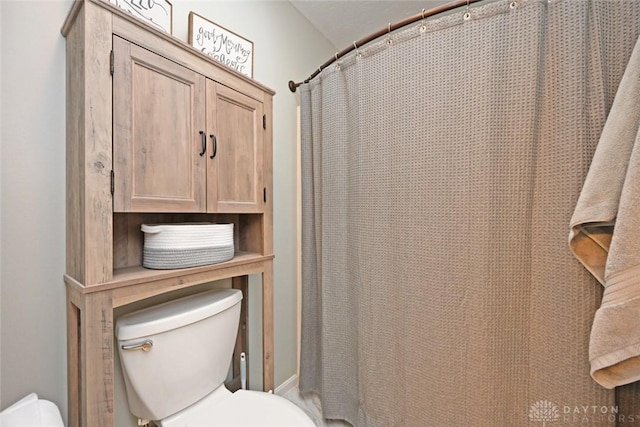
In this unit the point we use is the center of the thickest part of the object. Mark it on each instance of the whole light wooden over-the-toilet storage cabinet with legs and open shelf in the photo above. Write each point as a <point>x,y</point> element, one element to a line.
<point>156,133</point>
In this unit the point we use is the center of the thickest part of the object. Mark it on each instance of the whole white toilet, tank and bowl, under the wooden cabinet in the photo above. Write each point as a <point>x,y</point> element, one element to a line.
<point>175,358</point>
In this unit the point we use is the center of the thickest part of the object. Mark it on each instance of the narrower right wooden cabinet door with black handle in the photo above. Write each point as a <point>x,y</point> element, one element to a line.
<point>234,174</point>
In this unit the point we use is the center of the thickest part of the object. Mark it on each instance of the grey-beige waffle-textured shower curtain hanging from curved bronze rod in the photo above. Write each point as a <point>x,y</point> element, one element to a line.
<point>441,166</point>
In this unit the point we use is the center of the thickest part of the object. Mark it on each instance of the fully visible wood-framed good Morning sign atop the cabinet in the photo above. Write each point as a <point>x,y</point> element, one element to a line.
<point>221,44</point>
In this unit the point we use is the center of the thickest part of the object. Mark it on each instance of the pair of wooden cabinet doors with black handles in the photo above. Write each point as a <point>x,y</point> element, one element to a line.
<point>217,168</point>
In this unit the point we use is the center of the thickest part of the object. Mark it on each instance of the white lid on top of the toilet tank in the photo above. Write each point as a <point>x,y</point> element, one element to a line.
<point>176,313</point>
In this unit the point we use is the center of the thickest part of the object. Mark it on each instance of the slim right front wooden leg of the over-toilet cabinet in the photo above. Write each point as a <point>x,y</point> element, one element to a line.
<point>267,326</point>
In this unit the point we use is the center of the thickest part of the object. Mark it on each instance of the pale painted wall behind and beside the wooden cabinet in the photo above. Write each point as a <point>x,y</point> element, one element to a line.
<point>32,171</point>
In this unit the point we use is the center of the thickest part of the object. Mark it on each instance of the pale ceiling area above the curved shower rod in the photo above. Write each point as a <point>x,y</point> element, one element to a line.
<point>345,21</point>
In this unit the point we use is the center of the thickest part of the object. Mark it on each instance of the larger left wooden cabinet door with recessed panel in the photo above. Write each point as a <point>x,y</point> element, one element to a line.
<point>158,126</point>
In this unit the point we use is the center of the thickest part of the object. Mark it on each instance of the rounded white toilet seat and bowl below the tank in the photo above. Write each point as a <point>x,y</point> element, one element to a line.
<point>240,409</point>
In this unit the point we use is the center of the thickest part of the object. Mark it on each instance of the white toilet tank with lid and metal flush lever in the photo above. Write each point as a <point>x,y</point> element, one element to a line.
<point>175,353</point>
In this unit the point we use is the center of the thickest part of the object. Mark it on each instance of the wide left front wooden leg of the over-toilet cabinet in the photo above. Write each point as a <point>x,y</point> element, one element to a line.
<point>96,360</point>
